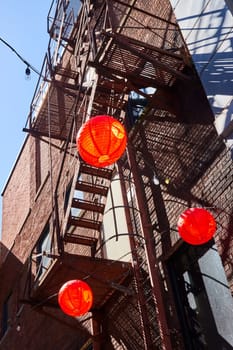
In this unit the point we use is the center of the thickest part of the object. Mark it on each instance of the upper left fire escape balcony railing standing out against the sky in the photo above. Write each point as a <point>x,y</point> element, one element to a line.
<point>57,75</point>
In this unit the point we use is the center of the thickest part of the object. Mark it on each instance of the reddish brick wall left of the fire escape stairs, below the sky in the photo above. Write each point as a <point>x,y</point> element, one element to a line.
<point>33,208</point>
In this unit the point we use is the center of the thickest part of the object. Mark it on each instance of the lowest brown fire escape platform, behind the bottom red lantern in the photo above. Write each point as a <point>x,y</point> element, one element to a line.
<point>102,275</point>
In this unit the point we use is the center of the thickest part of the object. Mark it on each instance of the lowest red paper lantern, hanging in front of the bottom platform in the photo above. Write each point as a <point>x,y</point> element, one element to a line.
<point>75,298</point>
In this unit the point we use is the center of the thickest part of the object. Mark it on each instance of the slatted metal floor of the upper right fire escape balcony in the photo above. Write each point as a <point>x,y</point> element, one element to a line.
<point>143,64</point>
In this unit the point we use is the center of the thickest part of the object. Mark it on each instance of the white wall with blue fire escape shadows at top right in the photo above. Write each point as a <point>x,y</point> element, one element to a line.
<point>207,27</point>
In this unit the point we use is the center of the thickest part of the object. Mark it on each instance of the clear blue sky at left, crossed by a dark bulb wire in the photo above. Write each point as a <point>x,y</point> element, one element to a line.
<point>23,24</point>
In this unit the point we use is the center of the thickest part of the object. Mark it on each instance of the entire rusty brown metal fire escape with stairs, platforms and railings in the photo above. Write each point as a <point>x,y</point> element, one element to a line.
<point>93,62</point>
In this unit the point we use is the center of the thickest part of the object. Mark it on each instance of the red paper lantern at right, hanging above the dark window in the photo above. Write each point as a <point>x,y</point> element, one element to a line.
<point>196,226</point>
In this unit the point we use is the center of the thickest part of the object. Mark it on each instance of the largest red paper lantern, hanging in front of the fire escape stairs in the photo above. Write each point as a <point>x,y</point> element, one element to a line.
<point>101,140</point>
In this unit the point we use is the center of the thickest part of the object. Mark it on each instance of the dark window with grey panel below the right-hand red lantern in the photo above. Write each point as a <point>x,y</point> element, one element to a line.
<point>204,301</point>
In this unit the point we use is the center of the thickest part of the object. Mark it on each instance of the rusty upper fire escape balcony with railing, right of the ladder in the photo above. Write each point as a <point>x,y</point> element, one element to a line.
<point>121,51</point>
